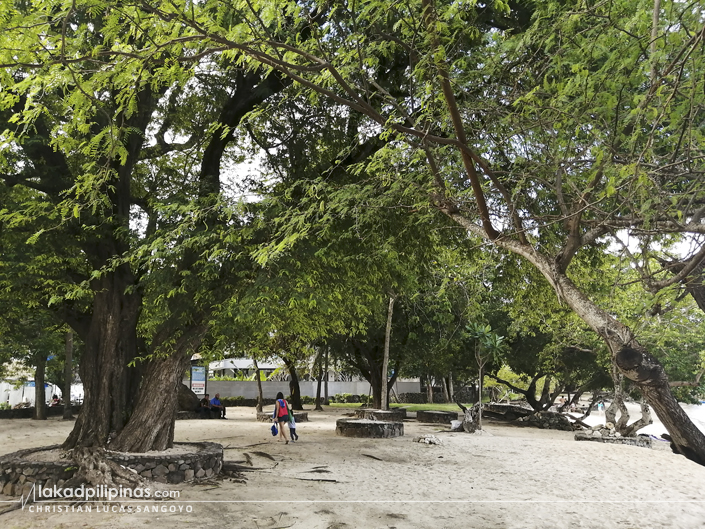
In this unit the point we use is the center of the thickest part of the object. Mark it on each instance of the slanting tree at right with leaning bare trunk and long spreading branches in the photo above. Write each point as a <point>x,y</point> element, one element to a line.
<point>545,127</point>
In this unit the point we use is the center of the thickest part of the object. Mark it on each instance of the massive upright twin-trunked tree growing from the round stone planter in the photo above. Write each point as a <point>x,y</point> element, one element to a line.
<point>117,175</point>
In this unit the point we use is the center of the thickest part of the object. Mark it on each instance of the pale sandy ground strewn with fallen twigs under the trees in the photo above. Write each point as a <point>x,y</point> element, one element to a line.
<point>509,477</point>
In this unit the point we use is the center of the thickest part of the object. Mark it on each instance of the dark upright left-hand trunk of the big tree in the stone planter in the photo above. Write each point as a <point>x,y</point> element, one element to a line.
<point>109,385</point>
